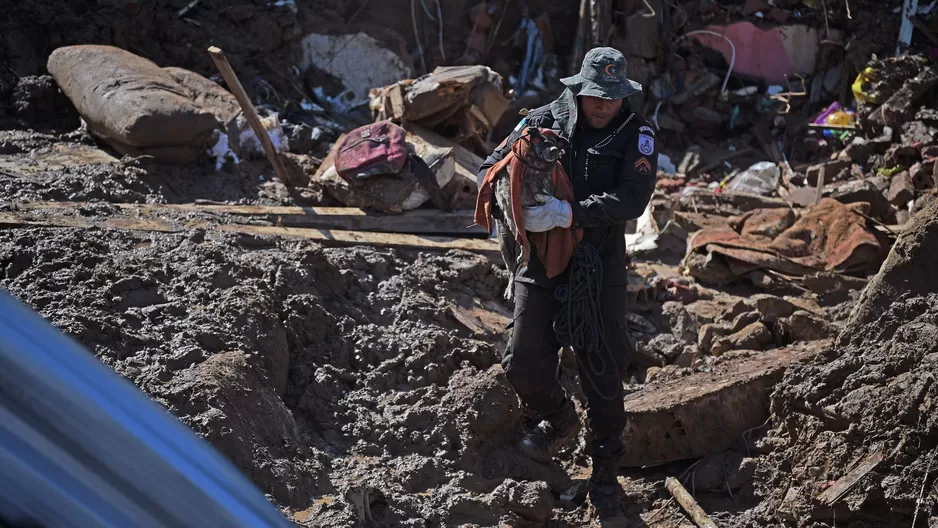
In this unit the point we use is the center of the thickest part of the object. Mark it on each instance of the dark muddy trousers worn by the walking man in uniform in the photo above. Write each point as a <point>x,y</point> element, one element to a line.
<point>531,360</point>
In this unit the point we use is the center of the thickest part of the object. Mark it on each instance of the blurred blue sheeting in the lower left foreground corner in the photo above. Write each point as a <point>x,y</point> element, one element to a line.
<point>82,447</point>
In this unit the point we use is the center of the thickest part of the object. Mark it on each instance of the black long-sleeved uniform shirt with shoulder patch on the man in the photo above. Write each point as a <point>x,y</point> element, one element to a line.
<point>612,170</point>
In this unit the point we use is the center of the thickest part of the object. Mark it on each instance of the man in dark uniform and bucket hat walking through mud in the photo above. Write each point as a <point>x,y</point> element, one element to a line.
<point>612,161</point>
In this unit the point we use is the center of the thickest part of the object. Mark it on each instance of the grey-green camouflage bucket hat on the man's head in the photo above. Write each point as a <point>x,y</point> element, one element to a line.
<point>604,75</point>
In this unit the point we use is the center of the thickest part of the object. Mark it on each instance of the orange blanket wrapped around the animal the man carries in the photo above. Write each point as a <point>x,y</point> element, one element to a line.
<point>555,247</point>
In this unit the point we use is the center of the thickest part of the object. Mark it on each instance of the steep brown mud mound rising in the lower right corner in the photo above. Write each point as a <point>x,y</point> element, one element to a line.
<point>871,398</point>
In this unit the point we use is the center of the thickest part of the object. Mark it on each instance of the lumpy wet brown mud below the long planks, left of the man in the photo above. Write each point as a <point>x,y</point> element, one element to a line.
<point>340,380</point>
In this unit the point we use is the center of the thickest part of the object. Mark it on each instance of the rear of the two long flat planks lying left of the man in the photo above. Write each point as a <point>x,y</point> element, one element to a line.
<point>419,221</point>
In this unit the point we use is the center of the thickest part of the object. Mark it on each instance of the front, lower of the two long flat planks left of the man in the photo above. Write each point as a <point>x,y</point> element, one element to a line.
<point>336,237</point>
